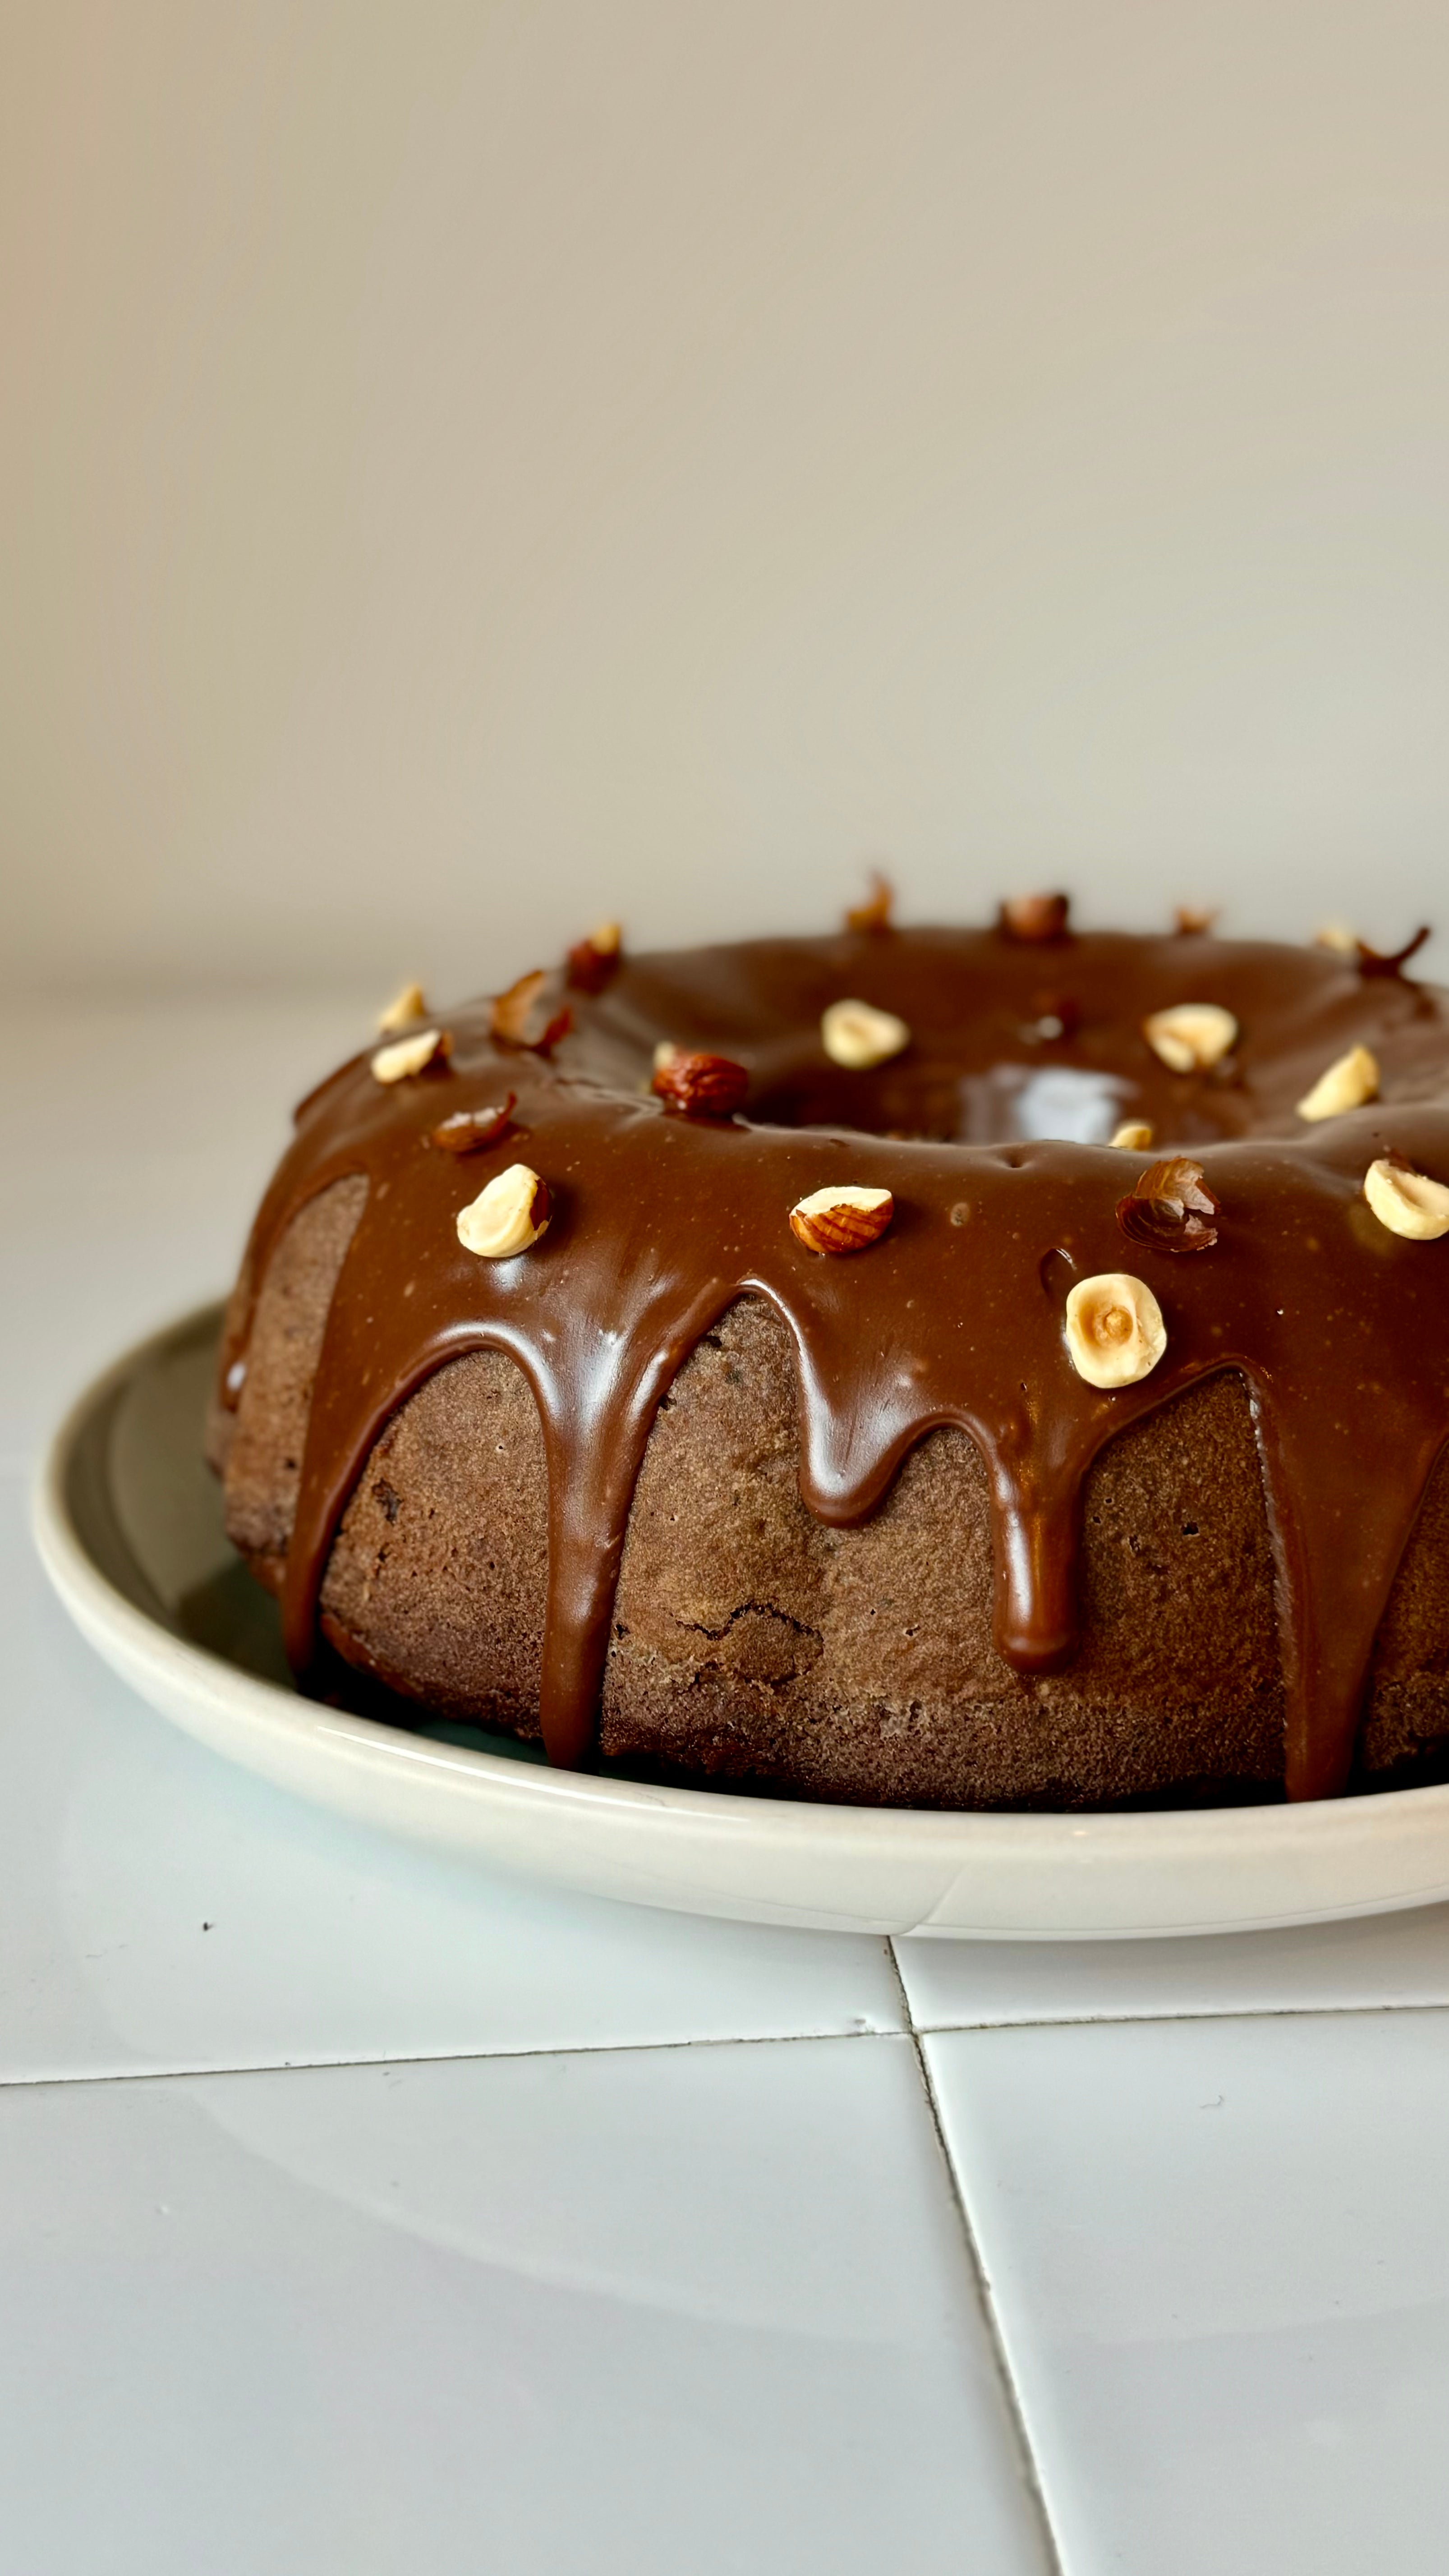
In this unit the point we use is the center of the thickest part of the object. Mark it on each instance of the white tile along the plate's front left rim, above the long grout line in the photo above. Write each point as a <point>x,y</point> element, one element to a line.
<point>122,1841</point>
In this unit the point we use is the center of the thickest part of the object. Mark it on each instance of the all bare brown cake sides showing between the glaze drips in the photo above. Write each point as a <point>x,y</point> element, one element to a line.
<point>757,1642</point>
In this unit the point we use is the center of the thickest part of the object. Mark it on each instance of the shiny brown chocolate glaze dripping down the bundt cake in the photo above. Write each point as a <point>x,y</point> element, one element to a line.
<point>1339,1328</point>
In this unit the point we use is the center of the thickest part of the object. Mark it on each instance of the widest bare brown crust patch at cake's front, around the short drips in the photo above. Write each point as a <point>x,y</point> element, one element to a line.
<point>754,1640</point>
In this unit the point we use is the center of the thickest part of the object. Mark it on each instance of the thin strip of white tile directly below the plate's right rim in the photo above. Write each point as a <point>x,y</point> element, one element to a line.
<point>1383,1959</point>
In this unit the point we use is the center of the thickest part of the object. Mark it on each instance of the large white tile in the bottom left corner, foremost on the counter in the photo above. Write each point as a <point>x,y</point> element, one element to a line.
<point>584,2317</point>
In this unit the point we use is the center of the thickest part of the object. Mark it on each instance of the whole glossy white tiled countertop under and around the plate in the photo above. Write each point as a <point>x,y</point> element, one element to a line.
<point>370,2214</point>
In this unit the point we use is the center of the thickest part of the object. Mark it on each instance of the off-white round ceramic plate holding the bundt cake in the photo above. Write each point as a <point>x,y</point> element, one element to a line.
<point>130,1531</point>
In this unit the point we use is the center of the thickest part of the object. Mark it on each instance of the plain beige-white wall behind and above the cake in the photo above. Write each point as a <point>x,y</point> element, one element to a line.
<point>468,468</point>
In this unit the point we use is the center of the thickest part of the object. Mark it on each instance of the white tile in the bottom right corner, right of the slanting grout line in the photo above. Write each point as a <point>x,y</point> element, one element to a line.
<point>1223,2273</point>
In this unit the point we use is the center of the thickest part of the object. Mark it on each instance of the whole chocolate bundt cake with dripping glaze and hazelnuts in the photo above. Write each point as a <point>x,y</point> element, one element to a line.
<point>911,1367</point>
